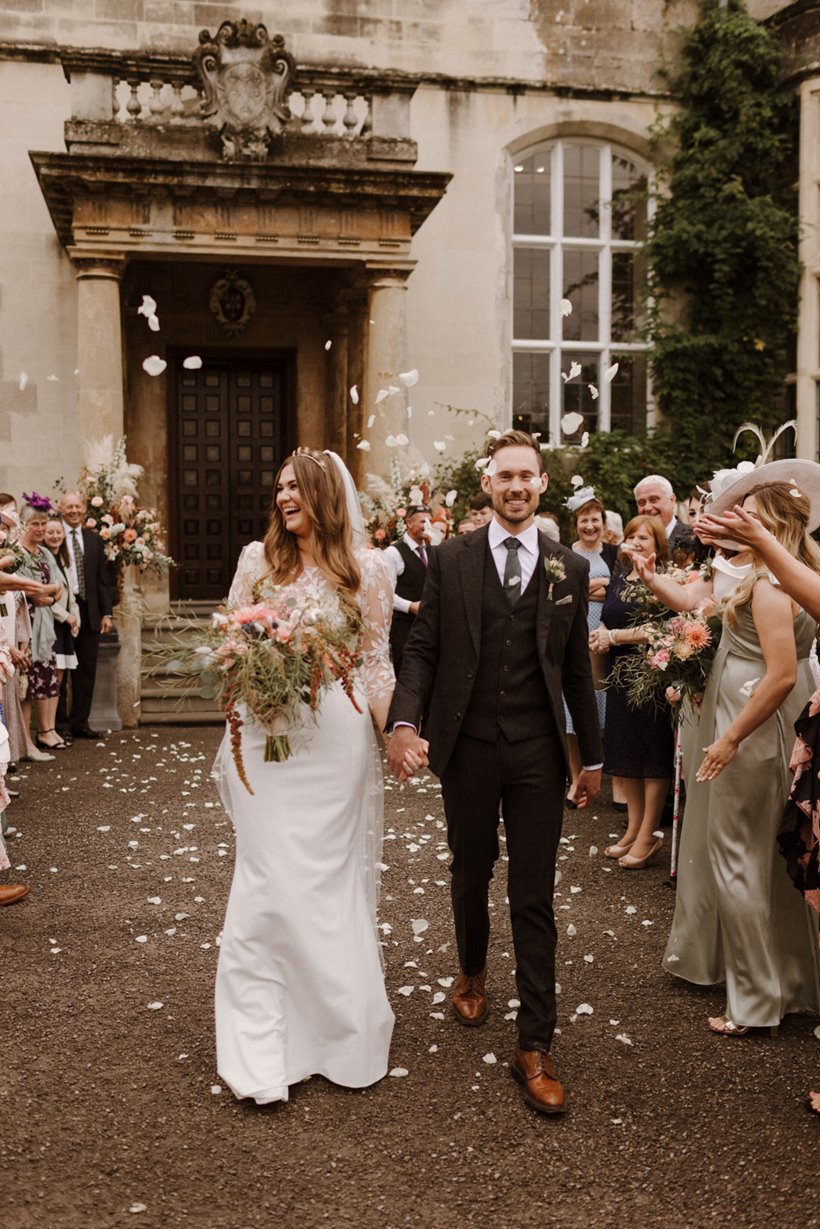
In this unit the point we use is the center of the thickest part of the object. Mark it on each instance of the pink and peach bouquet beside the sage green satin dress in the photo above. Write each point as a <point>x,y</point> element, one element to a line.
<point>677,661</point>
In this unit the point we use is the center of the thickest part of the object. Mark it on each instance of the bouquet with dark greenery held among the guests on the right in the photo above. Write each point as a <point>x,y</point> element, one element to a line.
<point>676,664</point>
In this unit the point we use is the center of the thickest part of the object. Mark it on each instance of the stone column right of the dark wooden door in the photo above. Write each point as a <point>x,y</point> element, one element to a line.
<point>387,358</point>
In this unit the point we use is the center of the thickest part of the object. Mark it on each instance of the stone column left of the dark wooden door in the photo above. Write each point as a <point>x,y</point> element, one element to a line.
<point>100,348</point>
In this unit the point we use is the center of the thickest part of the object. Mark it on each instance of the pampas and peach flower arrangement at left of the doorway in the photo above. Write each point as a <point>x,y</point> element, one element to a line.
<point>132,535</point>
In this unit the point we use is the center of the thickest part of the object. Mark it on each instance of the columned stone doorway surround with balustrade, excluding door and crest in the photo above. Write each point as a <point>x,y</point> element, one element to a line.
<point>144,180</point>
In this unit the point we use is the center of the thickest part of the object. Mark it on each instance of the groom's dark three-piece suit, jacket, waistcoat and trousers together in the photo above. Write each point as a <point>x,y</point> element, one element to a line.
<point>494,678</point>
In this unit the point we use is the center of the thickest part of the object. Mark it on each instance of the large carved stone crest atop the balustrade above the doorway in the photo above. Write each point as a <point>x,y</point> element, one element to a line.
<point>245,74</point>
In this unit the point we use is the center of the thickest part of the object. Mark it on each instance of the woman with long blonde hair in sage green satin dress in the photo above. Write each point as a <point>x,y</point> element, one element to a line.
<point>764,943</point>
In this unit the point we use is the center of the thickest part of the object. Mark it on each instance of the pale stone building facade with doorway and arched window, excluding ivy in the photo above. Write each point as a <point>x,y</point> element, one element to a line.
<point>430,184</point>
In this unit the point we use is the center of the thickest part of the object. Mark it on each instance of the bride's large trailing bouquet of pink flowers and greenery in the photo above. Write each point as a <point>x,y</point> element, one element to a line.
<point>271,659</point>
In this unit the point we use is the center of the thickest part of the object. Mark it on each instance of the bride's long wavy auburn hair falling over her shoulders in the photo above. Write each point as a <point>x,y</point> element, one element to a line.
<point>321,493</point>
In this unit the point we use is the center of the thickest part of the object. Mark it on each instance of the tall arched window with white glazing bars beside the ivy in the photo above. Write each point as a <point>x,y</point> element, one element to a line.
<point>581,221</point>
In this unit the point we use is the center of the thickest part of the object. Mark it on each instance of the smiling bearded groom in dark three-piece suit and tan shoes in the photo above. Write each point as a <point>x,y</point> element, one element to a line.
<point>501,636</point>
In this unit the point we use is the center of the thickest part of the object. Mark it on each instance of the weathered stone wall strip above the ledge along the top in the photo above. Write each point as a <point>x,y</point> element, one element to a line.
<point>607,45</point>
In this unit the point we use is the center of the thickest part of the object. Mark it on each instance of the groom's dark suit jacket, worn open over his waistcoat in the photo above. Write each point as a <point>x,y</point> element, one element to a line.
<point>441,658</point>
